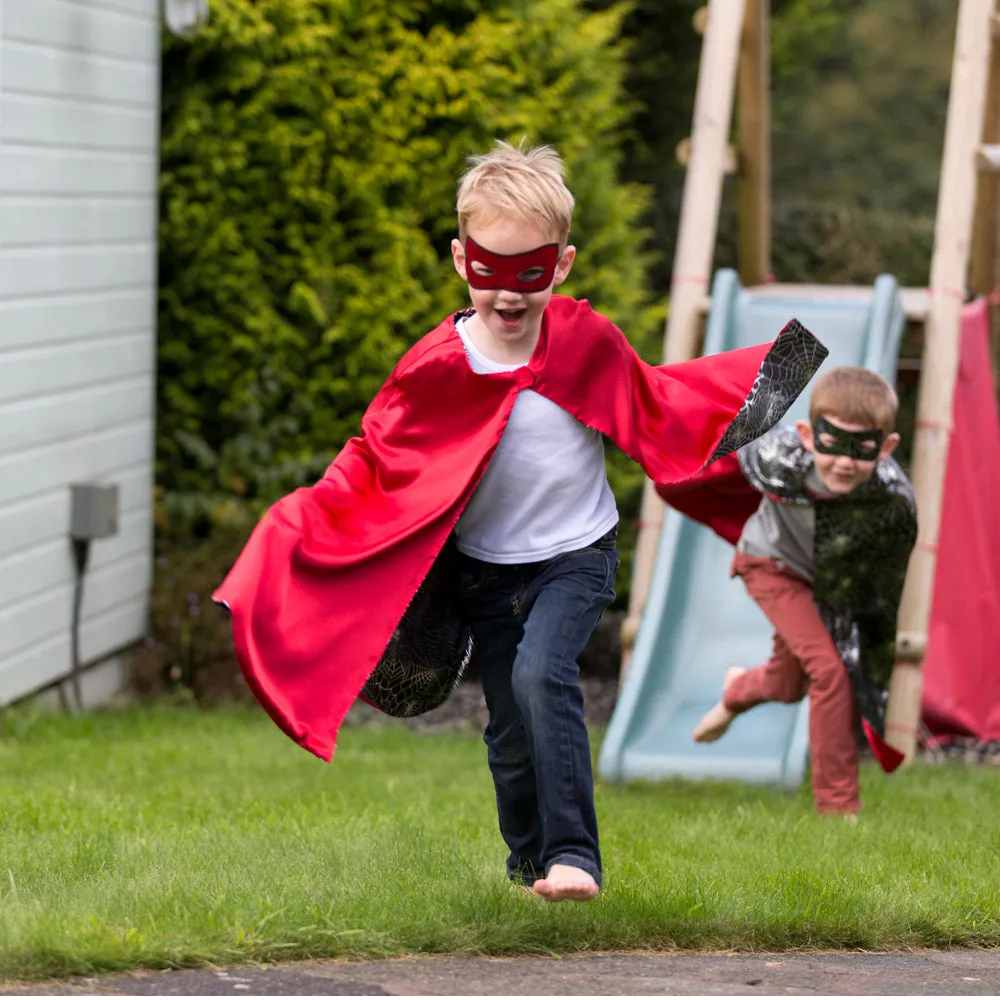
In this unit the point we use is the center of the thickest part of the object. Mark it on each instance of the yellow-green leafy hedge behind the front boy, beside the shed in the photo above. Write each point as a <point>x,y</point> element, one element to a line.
<point>309,158</point>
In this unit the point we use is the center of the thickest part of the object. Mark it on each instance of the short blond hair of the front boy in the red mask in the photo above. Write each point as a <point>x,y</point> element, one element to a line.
<point>514,181</point>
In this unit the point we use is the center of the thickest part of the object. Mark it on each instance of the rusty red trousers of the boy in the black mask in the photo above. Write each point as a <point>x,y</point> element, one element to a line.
<point>804,661</point>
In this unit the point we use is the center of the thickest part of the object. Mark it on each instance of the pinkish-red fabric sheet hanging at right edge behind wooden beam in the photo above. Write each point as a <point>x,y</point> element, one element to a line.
<point>961,693</point>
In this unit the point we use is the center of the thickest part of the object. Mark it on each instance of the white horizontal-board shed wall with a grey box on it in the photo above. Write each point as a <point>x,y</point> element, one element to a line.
<point>79,122</point>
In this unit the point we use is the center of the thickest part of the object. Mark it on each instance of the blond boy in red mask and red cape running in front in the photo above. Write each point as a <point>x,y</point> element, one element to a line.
<point>487,436</point>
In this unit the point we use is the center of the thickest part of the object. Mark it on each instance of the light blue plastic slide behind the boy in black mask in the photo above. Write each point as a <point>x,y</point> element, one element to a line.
<point>698,622</point>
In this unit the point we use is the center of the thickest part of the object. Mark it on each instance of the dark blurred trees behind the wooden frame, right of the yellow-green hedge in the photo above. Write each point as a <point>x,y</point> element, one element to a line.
<point>859,95</point>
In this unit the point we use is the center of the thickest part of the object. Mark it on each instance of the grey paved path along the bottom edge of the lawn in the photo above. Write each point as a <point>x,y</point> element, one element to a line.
<point>953,973</point>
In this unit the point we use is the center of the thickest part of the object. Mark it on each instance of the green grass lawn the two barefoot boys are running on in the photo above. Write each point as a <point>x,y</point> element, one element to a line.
<point>164,836</point>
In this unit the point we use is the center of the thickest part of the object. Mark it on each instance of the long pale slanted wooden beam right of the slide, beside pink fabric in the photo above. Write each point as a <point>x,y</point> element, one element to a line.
<point>949,270</point>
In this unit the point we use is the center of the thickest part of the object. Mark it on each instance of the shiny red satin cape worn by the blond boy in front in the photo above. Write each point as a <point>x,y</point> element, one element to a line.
<point>328,573</point>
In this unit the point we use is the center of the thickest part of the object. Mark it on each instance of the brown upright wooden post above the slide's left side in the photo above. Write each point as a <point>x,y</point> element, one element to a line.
<point>754,117</point>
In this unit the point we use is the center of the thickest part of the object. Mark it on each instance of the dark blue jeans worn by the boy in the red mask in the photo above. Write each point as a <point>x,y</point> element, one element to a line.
<point>530,623</point>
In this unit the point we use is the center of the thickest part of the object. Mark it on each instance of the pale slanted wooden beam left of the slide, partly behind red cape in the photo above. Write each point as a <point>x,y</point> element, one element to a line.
<point>713,112</point>
